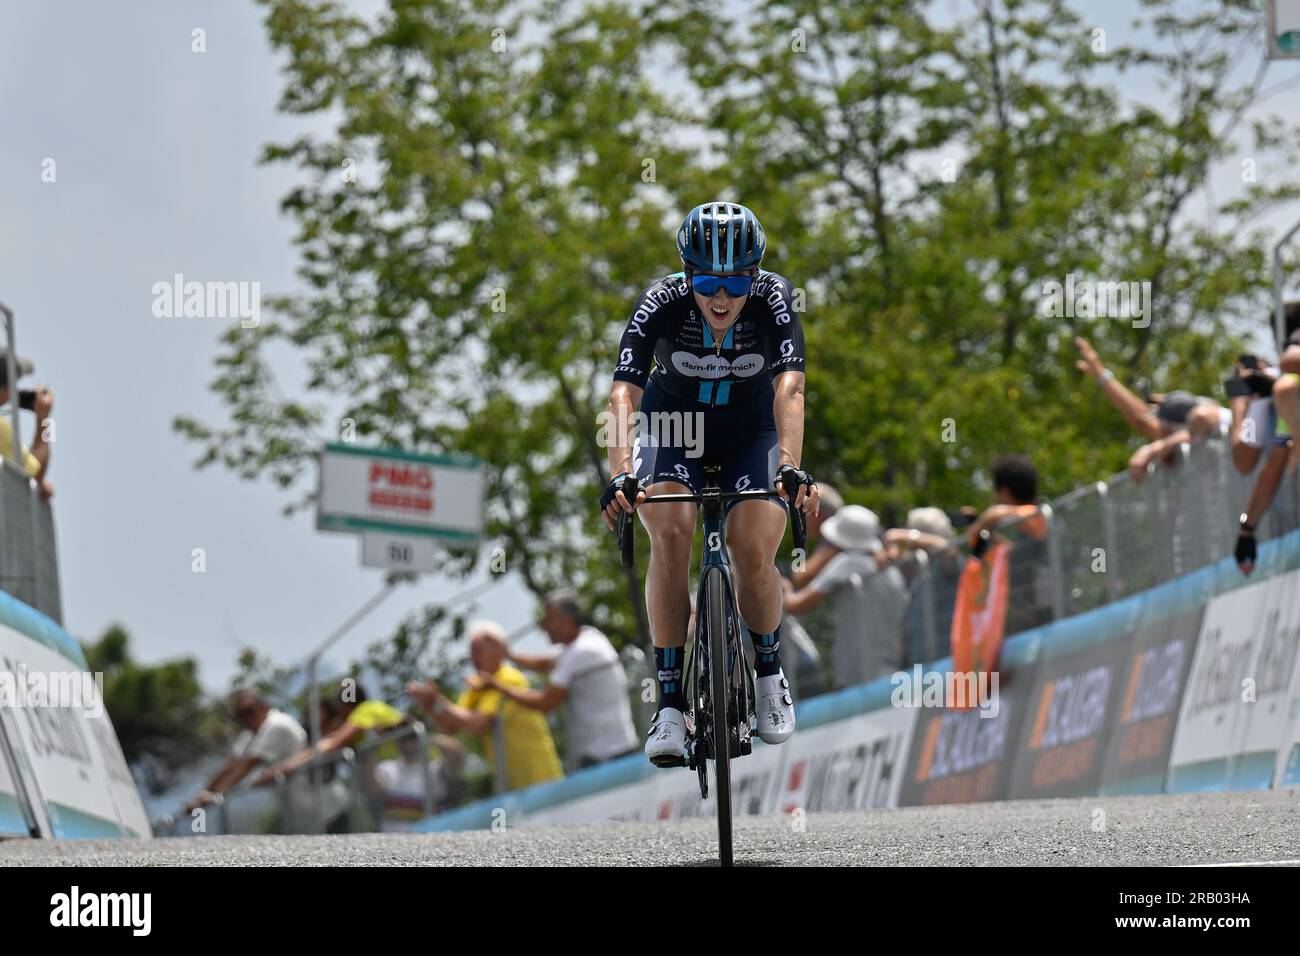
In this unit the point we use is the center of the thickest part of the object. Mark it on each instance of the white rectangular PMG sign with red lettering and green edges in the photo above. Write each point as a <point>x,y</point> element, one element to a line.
<point>393,491</point>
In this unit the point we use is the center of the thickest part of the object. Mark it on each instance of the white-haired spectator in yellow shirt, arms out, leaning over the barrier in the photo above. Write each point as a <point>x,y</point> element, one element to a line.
<point>528,751</point>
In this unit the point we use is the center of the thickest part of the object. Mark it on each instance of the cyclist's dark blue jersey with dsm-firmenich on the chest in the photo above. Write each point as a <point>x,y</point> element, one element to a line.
<point>690,364</point>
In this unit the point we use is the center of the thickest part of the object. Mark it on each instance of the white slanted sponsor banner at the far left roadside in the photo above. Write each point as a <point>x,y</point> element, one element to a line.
<point>72,751</point>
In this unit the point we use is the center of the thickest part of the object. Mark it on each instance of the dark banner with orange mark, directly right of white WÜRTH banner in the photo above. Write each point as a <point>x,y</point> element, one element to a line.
<point>964,756</point>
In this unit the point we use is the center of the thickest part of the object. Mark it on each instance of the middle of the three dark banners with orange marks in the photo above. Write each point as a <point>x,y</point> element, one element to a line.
<point>1065,732</point>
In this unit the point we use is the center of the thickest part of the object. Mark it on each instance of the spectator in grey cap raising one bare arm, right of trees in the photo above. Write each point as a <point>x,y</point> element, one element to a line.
<point>1168,421</point>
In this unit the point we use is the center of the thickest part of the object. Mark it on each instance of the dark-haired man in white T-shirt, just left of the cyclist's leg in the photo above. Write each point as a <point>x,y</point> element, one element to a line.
<point>587,676</point>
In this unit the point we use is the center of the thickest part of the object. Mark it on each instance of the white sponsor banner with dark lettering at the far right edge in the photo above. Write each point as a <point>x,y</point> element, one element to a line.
<point>1240,689</point>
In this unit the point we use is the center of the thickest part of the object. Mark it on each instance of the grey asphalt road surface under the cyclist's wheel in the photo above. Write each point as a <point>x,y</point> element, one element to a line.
<point>1255,828</point>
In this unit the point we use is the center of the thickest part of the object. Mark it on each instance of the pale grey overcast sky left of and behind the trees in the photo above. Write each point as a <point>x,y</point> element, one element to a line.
<point>157,175</point>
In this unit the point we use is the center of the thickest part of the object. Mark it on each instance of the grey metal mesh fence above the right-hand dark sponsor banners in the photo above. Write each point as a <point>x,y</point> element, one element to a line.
<point>1110,540</point>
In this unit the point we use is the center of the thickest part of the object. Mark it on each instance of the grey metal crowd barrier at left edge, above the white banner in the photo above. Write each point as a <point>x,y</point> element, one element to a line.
<point>29,560</point>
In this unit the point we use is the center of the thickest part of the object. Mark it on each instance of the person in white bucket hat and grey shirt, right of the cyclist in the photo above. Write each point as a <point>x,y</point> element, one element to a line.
<point>870,599</point>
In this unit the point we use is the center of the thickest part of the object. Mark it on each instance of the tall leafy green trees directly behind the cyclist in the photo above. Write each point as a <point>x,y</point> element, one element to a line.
<point>505,178</point>
